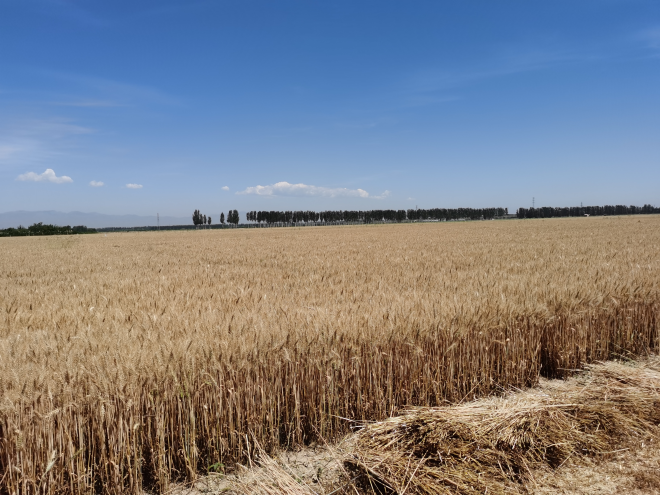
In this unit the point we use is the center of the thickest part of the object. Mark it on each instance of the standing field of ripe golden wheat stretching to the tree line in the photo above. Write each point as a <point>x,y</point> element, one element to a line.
<point>133,360</point>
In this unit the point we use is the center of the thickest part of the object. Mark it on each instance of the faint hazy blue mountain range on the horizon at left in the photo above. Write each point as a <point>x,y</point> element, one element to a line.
<point>95,220</point>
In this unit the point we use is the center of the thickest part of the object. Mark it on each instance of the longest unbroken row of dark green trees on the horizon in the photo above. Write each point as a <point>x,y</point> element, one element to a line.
<point>374,216</point>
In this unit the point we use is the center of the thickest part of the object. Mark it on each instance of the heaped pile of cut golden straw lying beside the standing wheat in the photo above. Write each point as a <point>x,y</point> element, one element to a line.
<point>494,445</point>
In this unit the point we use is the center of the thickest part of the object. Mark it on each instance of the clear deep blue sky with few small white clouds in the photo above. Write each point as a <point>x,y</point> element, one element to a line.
<point>327,105</point>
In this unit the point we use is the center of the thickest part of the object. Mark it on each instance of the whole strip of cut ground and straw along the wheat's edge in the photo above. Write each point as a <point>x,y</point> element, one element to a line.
<point>562,434</point>
